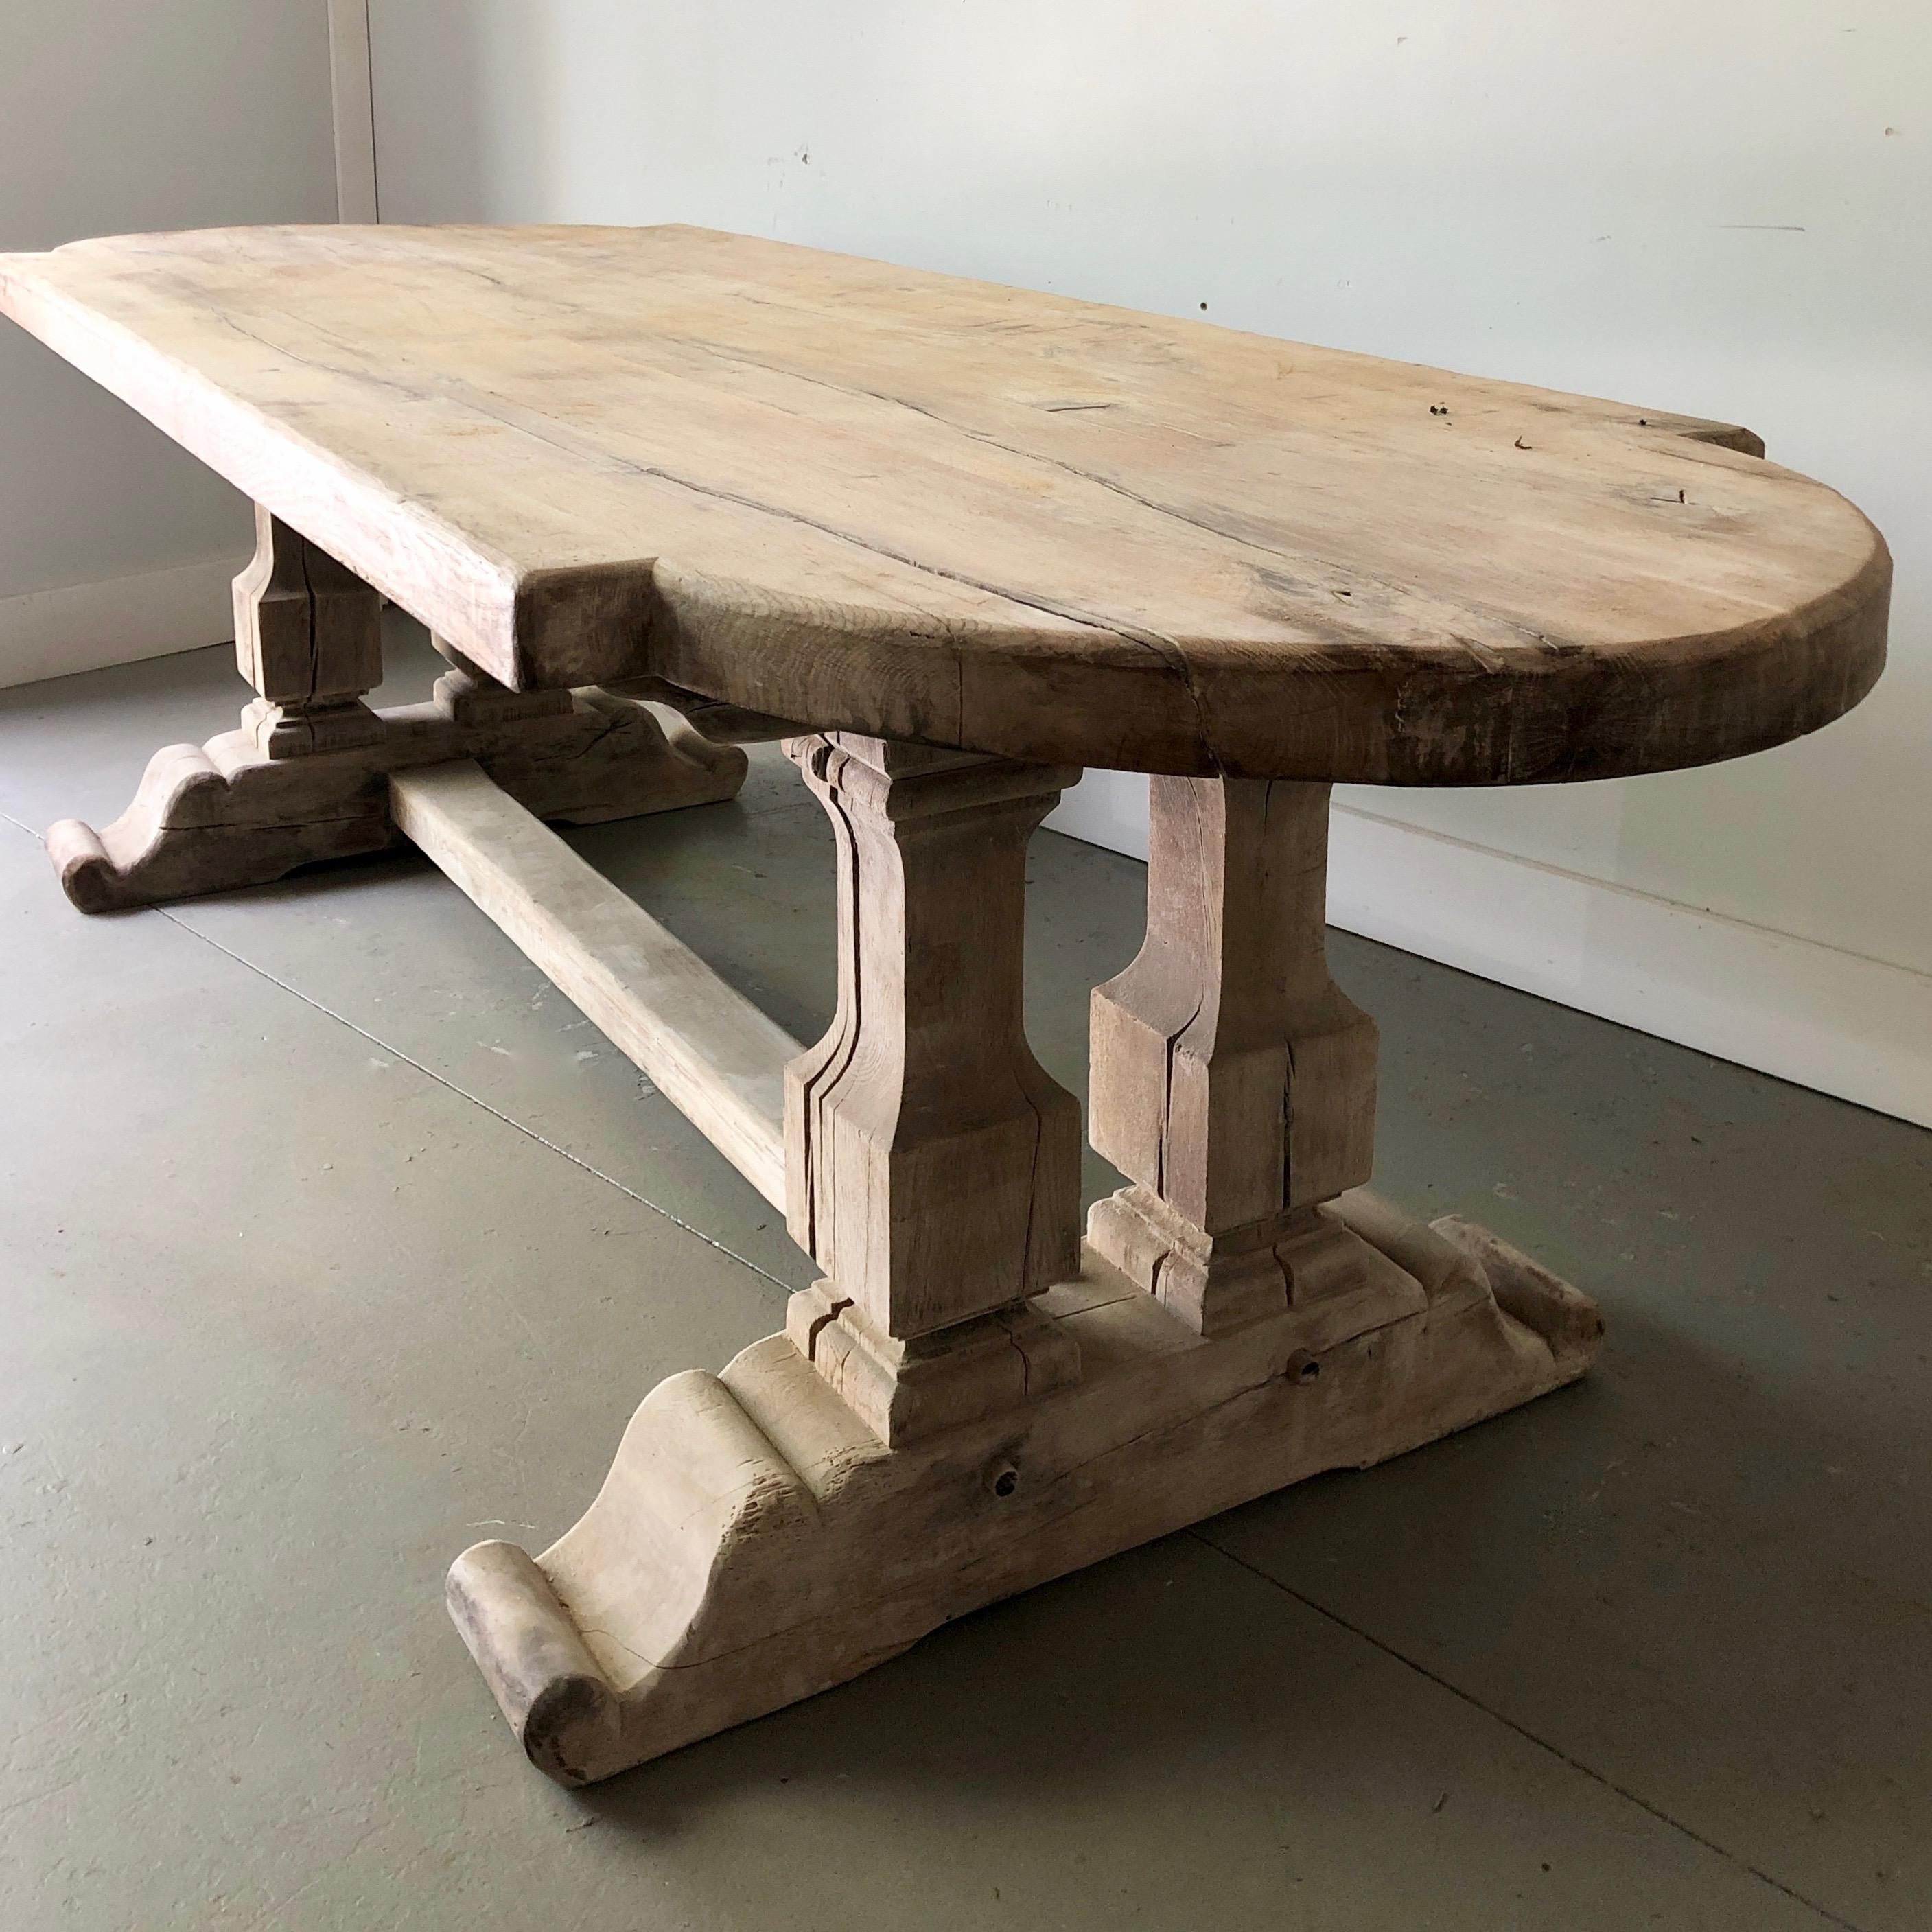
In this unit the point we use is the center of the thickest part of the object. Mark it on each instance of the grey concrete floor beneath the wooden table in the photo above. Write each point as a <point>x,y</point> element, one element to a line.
<point>333,1239</point>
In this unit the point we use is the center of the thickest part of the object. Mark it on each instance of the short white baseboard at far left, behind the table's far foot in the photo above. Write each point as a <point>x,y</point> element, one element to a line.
<point>82,627</point>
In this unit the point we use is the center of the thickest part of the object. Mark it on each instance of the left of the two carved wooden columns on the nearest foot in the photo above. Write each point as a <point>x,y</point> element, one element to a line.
<point>932,1166</point>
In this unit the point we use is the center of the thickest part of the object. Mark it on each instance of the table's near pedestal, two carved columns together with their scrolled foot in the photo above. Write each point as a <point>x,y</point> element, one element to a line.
<point>967,1407</point>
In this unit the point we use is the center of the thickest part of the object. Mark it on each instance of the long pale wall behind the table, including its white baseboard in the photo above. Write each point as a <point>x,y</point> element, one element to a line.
<point>1713,208</point>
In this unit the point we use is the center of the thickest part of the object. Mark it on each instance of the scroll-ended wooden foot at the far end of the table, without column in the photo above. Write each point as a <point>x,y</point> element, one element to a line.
<point>241,810</point>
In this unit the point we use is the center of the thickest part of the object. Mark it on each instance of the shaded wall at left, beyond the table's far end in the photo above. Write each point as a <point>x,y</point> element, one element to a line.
<point>125,115</point>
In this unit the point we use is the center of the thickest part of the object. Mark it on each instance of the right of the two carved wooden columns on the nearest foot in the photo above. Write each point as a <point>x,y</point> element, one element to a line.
<point>1234,1081</point>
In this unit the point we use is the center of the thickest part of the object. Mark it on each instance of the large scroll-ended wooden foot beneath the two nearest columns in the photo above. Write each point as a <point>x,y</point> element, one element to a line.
<point>758,1543</point>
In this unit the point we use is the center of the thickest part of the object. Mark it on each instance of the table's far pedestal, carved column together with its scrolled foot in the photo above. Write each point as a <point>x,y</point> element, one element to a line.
<point>306,776</point>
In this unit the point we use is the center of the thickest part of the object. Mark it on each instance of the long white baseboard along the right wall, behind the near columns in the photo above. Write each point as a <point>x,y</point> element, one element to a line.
<point>1833,1021</point>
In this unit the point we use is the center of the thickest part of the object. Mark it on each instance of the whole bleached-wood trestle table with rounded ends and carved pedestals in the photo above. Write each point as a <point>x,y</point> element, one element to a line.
<point>952,542</point>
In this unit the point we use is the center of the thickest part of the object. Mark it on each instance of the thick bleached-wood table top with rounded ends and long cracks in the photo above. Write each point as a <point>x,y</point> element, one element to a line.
<point>934,509</point>
